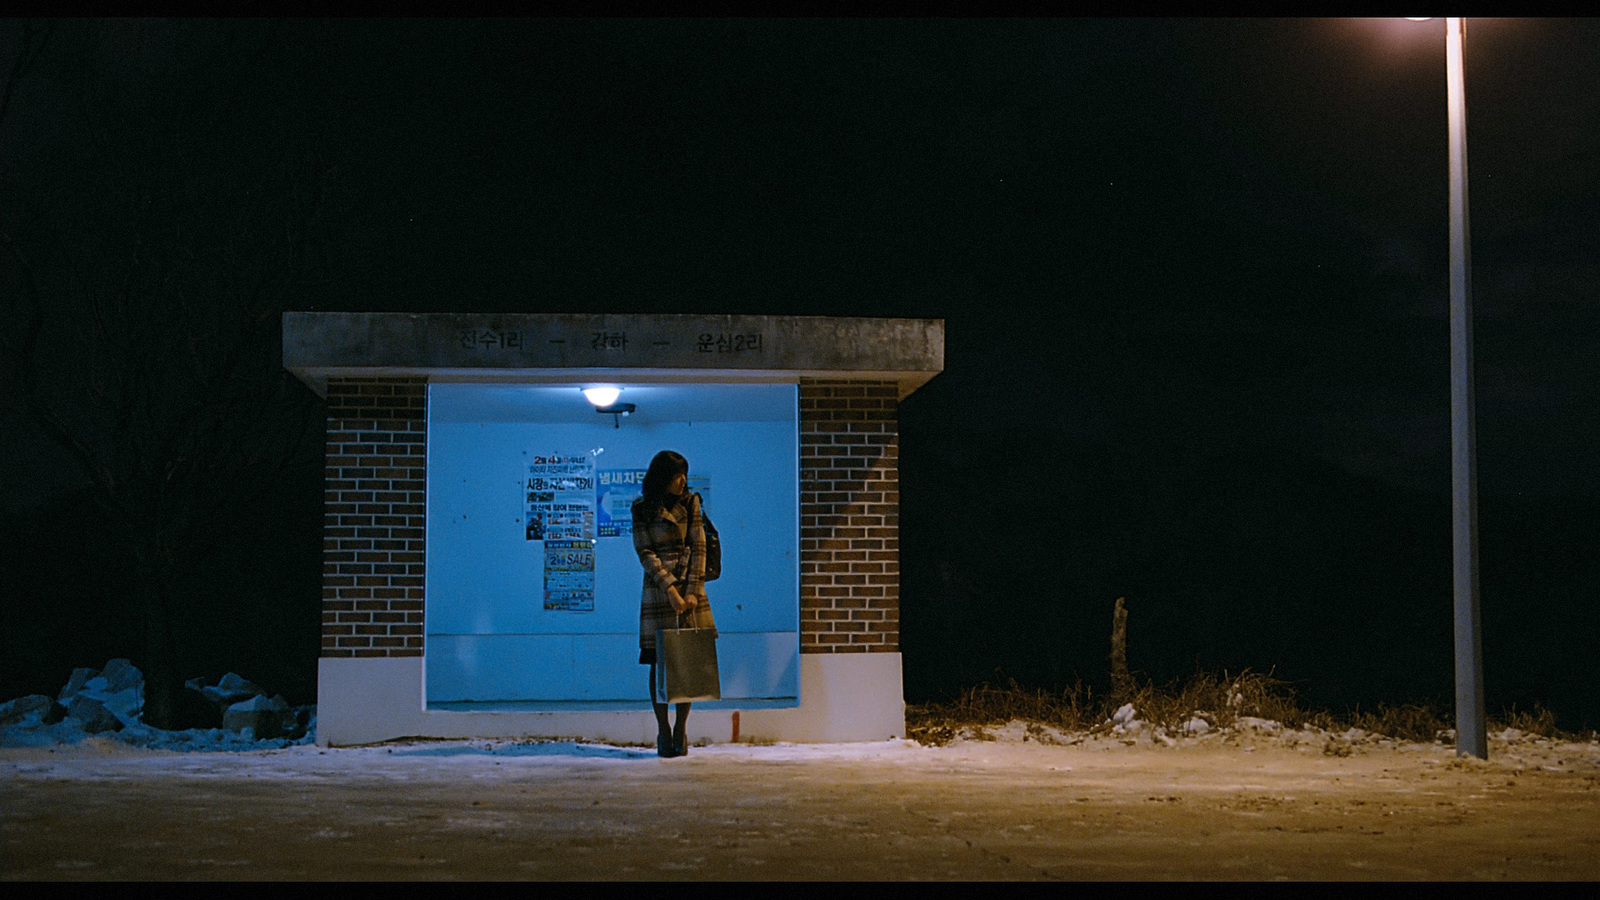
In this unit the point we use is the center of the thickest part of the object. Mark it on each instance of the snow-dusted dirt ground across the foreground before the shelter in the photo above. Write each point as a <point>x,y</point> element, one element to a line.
<point>1220,808</point>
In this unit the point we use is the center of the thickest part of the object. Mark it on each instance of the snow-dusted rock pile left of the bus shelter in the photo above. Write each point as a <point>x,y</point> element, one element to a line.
<point>110,704</point>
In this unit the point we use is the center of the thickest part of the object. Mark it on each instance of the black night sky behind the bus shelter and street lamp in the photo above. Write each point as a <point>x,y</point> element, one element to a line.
<point>1193,273</point>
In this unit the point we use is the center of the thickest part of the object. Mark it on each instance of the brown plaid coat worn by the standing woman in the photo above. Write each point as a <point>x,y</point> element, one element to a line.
<point>673,550</point>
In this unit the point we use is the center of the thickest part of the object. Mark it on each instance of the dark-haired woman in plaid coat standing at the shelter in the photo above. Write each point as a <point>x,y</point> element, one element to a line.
<point>671,542</point>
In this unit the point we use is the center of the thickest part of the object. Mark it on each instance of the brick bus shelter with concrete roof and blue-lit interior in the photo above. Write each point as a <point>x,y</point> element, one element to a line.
<point>479,574</point>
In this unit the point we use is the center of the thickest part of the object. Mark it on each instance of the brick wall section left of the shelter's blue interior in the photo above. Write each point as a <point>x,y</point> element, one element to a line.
<point>374,518</point>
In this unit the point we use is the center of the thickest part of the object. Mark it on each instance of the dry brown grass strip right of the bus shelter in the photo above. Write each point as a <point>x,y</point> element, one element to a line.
<point>1218,699</point>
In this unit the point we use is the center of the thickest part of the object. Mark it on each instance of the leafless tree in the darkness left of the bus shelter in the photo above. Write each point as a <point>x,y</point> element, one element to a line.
<point>156,228</point>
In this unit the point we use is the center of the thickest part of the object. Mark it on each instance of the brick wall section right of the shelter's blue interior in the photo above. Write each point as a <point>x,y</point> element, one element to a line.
<point>849,516</point>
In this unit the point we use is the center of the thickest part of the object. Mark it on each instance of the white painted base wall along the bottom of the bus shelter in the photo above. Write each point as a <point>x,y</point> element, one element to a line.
<point>844,697</point>
